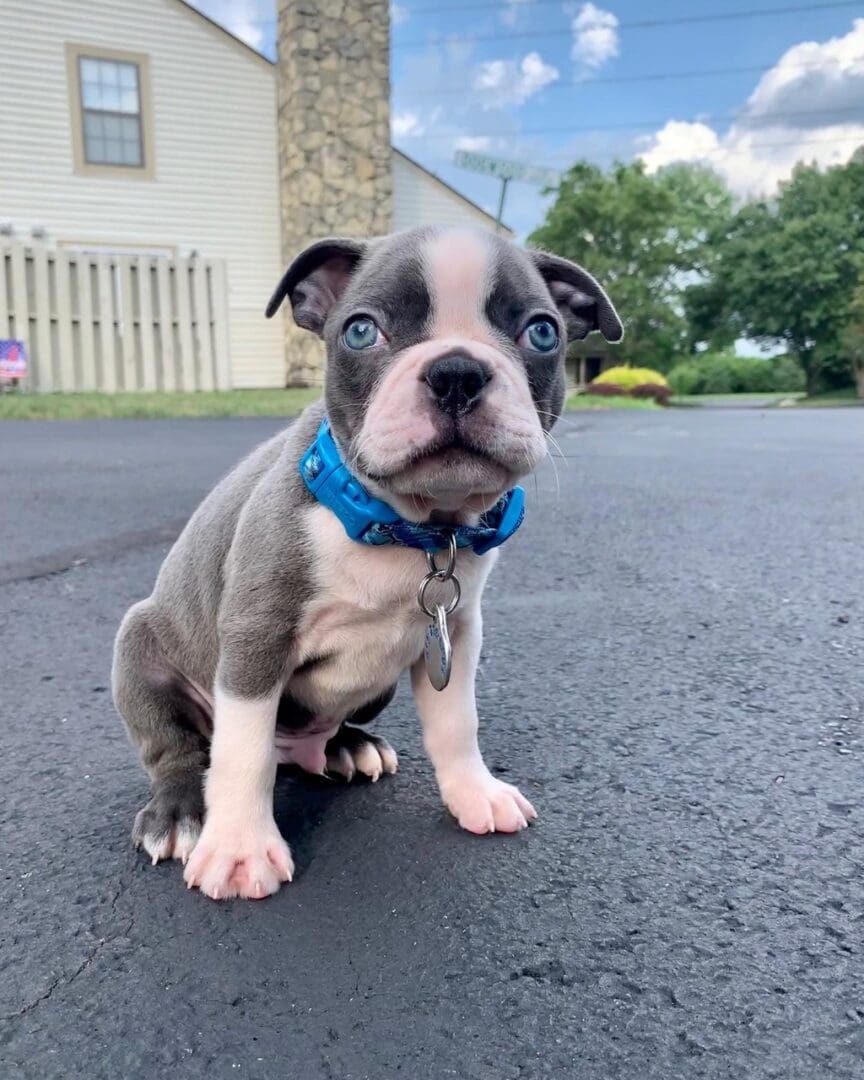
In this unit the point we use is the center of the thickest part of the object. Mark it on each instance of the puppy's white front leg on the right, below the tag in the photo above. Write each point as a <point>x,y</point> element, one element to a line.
<point>479,802</point>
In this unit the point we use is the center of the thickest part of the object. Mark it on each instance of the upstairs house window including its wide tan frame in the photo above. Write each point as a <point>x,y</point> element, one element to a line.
<point>110,92</point>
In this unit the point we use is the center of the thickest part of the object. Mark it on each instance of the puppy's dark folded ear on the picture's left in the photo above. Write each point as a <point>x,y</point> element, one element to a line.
<point>316,281</point>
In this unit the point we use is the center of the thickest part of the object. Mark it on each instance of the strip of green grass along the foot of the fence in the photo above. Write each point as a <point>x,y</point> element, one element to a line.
<point>88,407</point>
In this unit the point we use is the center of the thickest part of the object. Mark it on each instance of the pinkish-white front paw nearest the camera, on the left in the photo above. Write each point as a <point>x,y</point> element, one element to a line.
<point>248,860</point>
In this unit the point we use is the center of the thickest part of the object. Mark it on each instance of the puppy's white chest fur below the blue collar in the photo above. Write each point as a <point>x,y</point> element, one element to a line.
<point>363,627</point>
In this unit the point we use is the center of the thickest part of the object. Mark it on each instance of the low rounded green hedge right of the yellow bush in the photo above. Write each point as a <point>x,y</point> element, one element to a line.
<point>726,374</point>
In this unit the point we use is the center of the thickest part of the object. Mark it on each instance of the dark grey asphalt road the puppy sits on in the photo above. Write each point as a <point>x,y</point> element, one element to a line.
<point>674,672</point>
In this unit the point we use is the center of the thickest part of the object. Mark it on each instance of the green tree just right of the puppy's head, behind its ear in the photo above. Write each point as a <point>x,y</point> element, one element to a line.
<point>646,238</point>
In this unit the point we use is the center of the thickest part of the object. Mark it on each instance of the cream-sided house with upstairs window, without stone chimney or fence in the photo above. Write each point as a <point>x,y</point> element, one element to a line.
<point>142,129</point>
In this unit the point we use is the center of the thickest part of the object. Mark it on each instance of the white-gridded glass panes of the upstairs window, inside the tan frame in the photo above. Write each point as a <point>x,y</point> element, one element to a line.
<point>112,113</point>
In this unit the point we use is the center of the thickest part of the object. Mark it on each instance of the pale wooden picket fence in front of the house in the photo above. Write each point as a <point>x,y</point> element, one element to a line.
<point>116,322</point>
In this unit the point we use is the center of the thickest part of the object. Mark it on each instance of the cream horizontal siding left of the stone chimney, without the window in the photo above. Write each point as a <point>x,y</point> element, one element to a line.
<point>215,188</point>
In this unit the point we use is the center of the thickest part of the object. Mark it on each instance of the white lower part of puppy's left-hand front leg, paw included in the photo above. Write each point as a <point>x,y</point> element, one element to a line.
<point>241,852</point>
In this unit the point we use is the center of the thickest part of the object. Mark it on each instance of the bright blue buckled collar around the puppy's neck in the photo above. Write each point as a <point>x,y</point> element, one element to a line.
<point>371,521</point>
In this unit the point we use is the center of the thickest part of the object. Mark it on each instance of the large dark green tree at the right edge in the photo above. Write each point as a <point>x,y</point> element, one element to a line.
<point>786,269</point>
